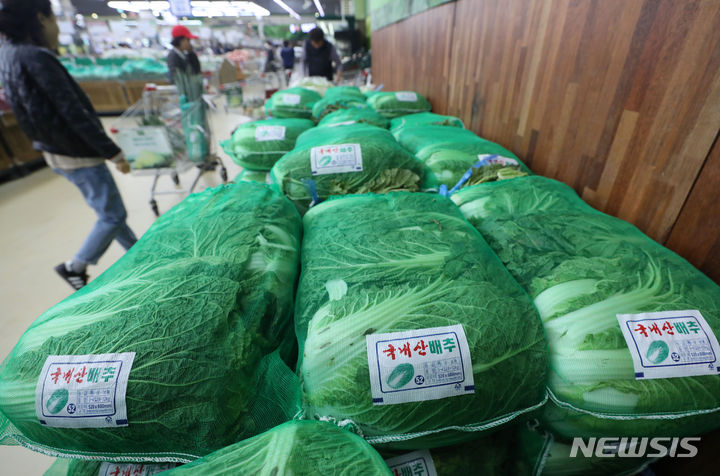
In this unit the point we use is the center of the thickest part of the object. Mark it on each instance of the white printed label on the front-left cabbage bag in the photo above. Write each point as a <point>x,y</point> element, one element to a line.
<point>83,391</point>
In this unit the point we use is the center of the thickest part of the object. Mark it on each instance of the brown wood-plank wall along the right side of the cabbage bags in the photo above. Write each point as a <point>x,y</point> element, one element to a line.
<point>618,98</point>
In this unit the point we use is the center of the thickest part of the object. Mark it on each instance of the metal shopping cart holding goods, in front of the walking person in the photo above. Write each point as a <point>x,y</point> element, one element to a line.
<point>160,136</point>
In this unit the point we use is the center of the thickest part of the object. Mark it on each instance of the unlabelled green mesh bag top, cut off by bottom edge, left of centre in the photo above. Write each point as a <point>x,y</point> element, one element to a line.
<point>298,448</point>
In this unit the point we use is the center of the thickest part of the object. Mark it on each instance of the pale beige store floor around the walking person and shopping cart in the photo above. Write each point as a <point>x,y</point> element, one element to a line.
<point>43,220</point>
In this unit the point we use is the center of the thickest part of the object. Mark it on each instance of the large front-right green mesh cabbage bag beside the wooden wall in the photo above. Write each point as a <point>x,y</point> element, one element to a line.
<point>585,270</point>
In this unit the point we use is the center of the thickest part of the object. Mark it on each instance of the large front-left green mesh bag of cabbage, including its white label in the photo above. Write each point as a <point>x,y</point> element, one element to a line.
<point>185,325</point>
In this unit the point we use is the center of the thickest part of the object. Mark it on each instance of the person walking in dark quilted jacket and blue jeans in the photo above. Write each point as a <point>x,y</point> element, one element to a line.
<point>56,114</point>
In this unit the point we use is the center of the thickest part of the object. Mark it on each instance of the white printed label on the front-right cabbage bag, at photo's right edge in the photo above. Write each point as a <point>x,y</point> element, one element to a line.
<point>670,344</point>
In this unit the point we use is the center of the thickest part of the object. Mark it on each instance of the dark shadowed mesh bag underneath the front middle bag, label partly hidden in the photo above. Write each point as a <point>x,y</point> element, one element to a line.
<point>511,451</point>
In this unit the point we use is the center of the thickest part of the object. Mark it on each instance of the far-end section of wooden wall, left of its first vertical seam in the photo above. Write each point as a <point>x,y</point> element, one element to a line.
<point>415,54</point>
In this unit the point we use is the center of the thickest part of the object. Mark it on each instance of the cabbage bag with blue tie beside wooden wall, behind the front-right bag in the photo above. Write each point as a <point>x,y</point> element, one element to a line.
<point>451,151</point>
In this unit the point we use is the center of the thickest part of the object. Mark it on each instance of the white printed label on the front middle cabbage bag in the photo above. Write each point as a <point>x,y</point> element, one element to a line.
<point>418,365</point>
